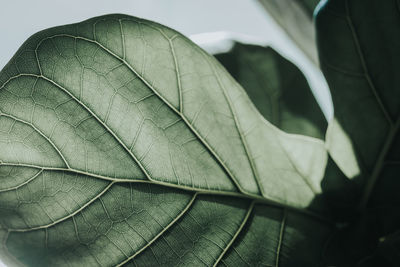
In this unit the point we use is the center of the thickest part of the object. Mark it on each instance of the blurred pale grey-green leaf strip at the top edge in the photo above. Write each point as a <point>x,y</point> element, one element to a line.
<point>295,18</point>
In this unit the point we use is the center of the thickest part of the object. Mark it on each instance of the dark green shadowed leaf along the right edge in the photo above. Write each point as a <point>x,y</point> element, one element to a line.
<point>364,91</point>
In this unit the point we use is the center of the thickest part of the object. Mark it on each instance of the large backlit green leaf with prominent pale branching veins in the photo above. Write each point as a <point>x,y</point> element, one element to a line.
<point>123,142</point>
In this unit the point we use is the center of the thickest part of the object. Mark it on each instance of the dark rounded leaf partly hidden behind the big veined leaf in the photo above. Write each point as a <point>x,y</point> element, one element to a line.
<point>275,86</point>
